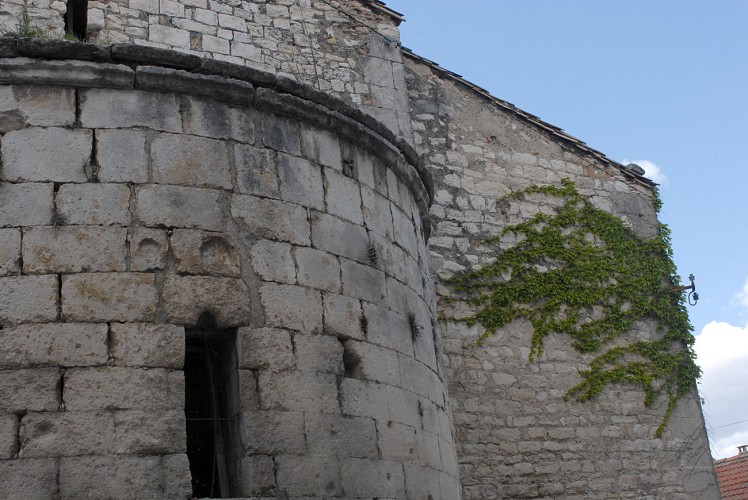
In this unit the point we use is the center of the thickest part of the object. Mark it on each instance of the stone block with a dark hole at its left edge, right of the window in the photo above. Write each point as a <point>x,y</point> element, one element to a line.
<point>370,362</point>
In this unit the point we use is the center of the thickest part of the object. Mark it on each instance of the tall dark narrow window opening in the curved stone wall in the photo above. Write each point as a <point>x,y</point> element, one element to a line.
<point>212,410</point>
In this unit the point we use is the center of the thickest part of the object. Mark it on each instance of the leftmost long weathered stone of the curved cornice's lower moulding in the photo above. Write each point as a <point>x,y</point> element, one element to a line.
<point>75,73</point>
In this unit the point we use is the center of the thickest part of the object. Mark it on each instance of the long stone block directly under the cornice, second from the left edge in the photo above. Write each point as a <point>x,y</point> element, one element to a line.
<point>106,108</point>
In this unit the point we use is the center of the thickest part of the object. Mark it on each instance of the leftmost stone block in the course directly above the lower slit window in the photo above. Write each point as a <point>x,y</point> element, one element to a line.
<point>28,299</point>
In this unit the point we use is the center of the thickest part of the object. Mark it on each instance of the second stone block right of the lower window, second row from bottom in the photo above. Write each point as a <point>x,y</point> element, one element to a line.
<point>335,435</point>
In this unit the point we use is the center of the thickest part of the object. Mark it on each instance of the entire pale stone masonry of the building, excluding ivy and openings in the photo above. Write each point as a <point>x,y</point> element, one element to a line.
<point>284,173</point>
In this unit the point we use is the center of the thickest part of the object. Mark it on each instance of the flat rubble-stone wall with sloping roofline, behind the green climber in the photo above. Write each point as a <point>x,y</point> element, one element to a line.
<point>516,435</point>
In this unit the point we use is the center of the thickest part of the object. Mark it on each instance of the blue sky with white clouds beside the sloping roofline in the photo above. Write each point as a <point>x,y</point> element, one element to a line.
<point>664,82</point>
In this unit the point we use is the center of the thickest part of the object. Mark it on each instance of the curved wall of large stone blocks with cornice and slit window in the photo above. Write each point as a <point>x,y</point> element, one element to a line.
<point>133,199</point>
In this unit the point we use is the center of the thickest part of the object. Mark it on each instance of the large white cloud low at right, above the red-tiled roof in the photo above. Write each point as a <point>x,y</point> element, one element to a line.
<point>722,353</point>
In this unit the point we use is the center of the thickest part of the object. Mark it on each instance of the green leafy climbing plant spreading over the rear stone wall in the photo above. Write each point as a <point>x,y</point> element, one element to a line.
<point>580,271</point>
